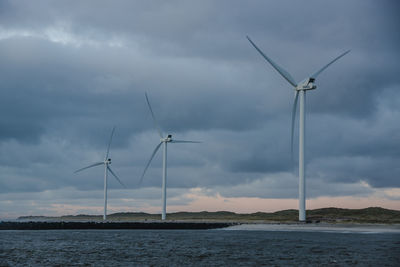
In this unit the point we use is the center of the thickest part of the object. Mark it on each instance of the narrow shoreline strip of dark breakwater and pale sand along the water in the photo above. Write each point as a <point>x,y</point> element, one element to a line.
<point>202,225</point>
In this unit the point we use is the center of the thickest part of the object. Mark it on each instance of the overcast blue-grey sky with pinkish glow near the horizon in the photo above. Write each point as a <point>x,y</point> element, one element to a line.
<point>69,72</point>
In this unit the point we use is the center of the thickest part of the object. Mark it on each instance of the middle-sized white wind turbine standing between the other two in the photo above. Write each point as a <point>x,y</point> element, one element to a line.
<point>163,141</point>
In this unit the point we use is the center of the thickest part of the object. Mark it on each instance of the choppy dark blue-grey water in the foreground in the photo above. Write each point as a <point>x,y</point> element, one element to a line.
<point>201,247</point>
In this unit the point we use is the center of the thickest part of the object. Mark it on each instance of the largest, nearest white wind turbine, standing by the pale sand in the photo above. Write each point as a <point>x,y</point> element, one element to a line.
<point>299,88</point>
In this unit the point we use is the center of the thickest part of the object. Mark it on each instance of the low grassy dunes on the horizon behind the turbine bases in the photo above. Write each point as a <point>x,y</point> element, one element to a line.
<point>372,215</point>
